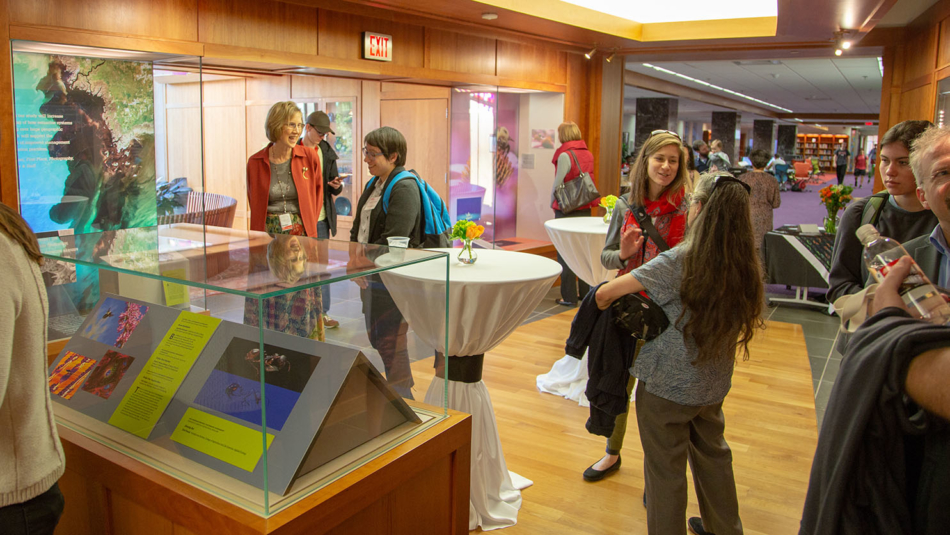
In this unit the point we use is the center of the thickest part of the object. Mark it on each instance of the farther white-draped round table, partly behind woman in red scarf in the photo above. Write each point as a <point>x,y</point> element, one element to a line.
<point>580,241</point>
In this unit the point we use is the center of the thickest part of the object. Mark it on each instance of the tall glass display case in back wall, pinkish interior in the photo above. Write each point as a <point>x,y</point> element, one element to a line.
<point>501,164</point>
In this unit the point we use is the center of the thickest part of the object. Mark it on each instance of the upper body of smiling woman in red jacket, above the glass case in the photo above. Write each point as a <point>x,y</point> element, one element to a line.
<point>284,180</point>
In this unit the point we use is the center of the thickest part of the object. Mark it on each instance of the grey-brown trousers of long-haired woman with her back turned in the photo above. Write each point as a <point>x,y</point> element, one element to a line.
<point>670,434</point>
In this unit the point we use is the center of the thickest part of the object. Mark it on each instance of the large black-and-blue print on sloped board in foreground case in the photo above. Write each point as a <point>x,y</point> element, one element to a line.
<point>234,387</point>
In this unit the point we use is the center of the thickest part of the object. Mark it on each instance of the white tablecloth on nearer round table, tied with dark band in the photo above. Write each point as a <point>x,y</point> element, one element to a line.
<point>488,300</point>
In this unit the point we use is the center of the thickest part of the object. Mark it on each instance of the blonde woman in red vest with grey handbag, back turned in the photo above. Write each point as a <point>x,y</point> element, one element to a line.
<point>570,159</point>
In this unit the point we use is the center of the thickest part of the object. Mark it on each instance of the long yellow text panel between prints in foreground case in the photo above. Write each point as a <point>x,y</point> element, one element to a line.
<point>153,389</point>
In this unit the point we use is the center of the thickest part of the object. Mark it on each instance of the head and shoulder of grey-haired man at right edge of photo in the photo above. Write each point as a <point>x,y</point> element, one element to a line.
<point>930,161</point>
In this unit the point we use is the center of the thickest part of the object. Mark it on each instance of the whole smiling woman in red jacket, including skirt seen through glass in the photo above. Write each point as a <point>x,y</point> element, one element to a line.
<point>284,195</point>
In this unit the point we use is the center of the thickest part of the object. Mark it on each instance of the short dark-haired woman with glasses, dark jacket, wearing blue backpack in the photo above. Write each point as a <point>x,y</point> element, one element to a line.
<point>384,152</point>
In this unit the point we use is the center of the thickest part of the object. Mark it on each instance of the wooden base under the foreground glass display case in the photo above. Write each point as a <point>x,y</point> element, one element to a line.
<point>420,486</point>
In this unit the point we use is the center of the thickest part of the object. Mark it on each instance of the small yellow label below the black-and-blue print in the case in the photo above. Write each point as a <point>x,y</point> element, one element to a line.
<point>222,439</point>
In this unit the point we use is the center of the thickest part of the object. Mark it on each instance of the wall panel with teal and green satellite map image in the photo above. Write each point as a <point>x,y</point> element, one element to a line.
<point>85,142</point>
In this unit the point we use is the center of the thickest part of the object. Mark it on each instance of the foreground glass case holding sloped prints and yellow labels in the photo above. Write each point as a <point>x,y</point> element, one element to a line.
<point>204,354</point>
